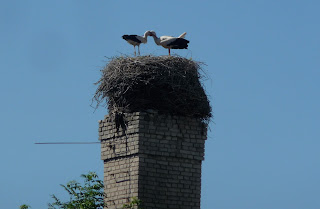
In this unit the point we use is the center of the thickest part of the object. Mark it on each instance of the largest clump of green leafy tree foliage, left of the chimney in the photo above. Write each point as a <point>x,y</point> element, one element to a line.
<point>87,196</point>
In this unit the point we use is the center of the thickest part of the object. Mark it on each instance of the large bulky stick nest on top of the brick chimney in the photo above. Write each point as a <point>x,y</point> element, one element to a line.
<point>170,85</point>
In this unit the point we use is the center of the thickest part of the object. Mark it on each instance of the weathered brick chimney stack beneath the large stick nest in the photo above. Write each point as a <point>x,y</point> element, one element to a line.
<point>157,159</point>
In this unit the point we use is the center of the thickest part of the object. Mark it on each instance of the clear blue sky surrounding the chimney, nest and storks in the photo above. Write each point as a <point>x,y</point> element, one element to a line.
<point>263,64</point>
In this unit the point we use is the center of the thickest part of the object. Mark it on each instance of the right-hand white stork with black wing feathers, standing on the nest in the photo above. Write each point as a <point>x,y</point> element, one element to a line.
<point>170,42</point>
